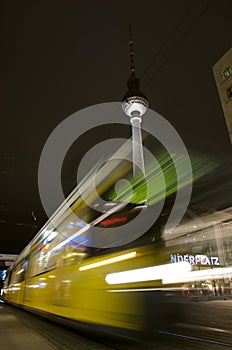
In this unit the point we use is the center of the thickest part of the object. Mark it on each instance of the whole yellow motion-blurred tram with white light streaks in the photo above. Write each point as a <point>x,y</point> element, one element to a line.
<point>62,275</point>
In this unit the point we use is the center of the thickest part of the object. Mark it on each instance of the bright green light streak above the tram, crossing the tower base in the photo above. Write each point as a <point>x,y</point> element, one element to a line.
<point>136,192</point>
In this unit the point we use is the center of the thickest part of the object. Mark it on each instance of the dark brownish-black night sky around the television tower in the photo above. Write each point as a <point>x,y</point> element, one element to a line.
<point>58,57</point>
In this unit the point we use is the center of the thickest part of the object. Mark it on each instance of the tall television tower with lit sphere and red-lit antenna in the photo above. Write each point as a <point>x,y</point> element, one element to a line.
<point>134,105</point>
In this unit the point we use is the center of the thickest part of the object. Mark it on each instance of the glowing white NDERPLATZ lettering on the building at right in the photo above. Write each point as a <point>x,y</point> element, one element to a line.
<point>198,259</point>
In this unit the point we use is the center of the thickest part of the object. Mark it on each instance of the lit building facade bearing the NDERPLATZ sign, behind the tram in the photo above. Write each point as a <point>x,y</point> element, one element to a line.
<point>205,242</point>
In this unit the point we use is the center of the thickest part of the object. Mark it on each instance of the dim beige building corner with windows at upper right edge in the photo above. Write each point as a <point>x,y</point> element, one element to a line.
<point>223,76</point>
